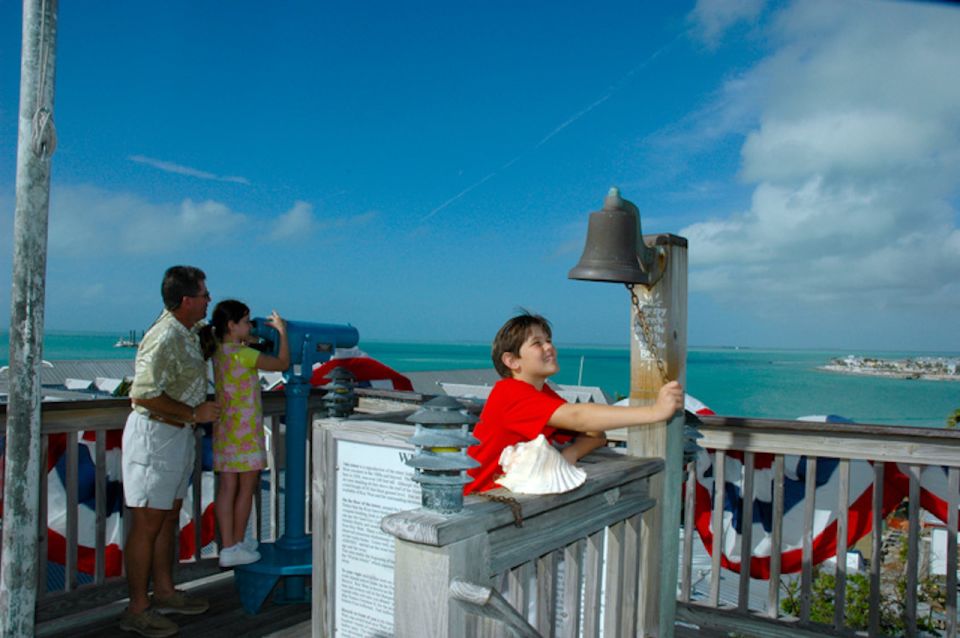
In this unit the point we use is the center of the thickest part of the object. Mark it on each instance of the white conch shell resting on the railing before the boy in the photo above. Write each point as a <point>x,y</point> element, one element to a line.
<point>536,467</point>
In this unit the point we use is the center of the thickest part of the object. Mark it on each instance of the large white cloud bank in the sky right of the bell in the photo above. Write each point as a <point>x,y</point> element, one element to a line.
<point>855,162</point>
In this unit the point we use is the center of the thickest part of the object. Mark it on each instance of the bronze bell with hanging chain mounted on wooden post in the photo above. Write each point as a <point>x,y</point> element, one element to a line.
<point>615,250</point>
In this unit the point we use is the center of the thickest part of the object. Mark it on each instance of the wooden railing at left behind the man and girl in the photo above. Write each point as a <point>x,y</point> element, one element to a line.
<point>103,416</point>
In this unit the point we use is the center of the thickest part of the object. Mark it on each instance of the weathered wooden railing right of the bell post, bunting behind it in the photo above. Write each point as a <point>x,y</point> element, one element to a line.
<point>876,452</point>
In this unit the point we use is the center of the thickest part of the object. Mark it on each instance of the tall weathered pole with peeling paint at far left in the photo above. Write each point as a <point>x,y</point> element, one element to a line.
<point>35,144</point>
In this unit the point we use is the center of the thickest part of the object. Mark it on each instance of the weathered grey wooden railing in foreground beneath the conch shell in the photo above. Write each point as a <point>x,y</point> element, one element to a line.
<point>479,573</point>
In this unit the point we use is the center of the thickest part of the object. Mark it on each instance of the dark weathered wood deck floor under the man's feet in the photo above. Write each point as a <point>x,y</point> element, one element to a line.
<point>226,617</point>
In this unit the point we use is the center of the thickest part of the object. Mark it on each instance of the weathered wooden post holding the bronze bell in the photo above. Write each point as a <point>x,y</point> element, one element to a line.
<point>664,308</point>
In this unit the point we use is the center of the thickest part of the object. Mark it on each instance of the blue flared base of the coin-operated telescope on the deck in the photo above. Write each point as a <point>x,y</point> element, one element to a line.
<point>256,581</point>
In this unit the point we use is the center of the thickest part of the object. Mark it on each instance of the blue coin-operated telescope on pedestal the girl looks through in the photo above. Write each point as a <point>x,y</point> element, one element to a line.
<point>289,557</point>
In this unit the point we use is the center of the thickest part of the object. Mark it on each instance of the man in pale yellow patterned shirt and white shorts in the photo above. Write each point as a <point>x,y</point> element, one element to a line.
<point>169,395</point>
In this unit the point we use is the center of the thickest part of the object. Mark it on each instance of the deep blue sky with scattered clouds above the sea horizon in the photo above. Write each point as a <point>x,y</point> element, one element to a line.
<point>422,169</point>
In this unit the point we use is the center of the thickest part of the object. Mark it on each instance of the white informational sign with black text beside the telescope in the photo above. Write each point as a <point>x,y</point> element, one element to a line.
<point>372,481</point>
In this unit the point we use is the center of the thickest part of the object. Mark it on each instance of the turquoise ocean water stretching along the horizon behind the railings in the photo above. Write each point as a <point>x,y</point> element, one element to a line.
<point>782,384</point>
